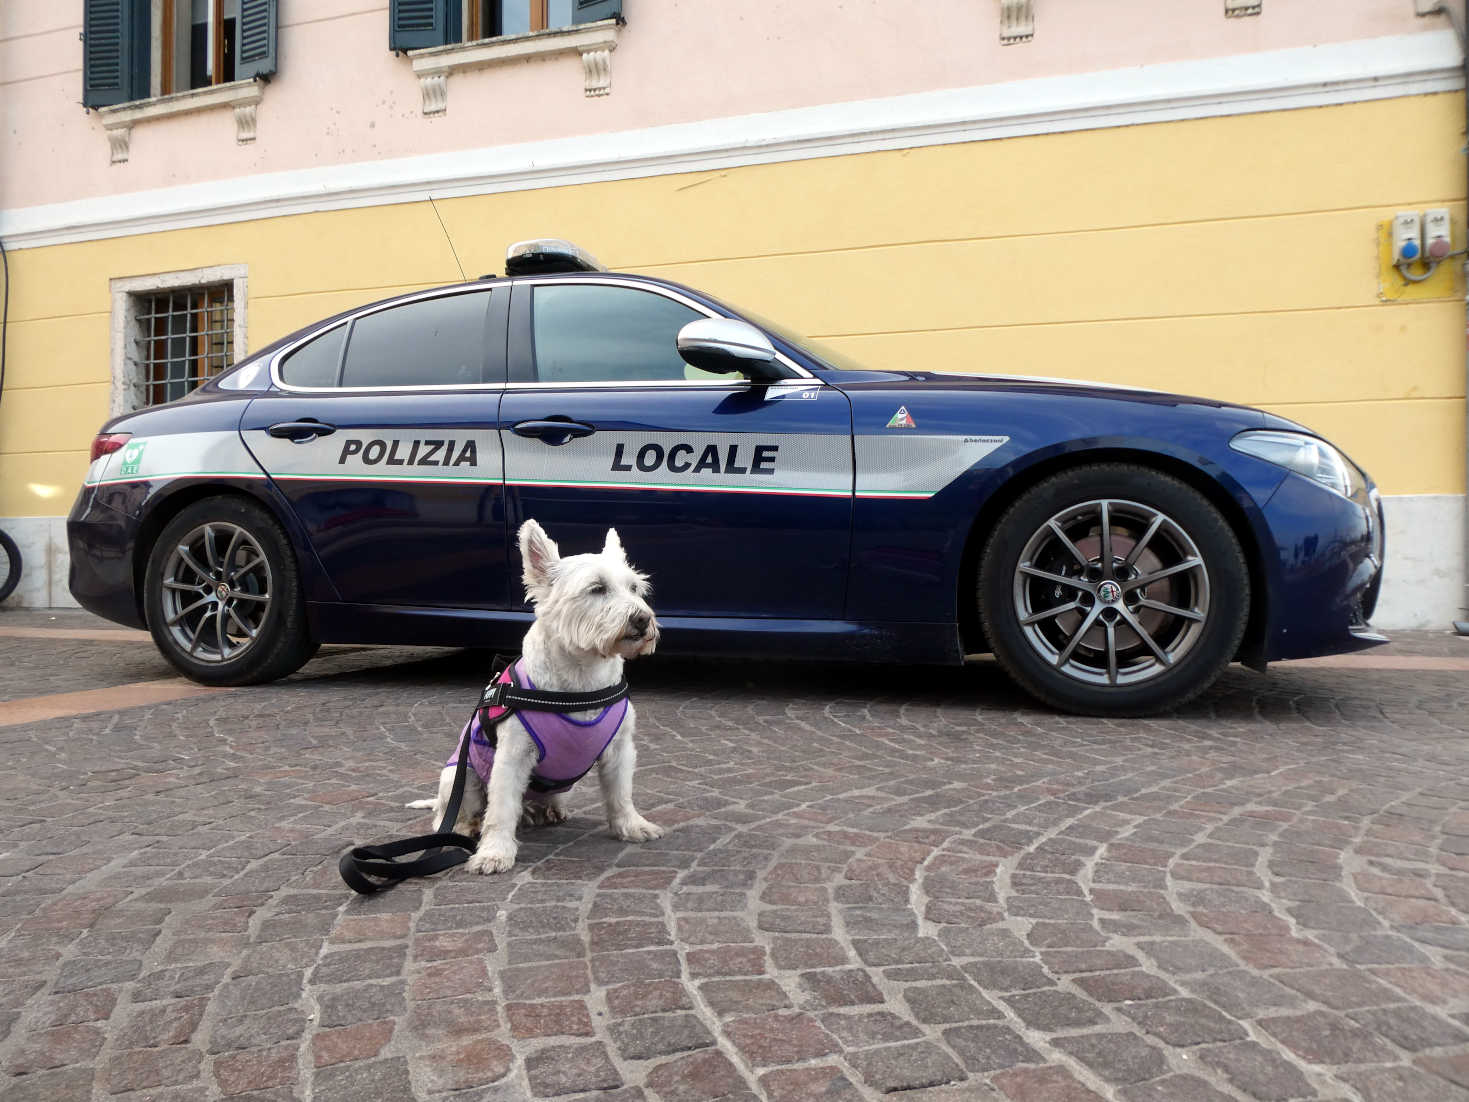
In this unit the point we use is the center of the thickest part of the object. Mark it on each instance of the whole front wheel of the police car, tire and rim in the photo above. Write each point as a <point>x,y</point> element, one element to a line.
<point>1075,619</point>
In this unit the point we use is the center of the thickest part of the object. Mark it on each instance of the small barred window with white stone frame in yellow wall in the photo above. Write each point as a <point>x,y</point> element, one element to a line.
<point>174,331</point>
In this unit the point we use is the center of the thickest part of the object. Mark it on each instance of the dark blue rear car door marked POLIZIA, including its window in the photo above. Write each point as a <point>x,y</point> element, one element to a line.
<point>381,436</point>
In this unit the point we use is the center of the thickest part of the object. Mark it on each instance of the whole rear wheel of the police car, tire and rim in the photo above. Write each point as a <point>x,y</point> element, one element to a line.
<point>223,596</point>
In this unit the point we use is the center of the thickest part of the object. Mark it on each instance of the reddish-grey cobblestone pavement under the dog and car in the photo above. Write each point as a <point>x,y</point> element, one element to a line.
<point>876,881</point>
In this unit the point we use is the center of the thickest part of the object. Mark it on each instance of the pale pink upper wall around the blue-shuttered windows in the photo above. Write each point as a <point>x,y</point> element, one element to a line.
<point>340,96</point>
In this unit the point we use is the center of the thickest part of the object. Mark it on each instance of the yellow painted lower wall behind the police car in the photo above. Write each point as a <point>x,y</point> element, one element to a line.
<point>1233,258</point>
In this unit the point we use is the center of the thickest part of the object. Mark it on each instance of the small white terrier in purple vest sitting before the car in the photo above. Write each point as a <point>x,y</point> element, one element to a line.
<point>591,616</point>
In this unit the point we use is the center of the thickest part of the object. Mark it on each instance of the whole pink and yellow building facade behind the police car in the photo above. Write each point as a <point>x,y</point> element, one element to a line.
<point>1191,198</point>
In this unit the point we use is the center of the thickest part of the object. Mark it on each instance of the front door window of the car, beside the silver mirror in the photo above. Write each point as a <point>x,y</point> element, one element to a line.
<point>594,333</point>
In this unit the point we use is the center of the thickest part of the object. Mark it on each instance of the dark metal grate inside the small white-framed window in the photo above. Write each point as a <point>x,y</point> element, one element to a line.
<point>183,339</point>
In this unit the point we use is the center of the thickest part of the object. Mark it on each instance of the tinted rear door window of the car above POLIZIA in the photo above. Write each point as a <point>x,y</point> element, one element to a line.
<point>430,343</point>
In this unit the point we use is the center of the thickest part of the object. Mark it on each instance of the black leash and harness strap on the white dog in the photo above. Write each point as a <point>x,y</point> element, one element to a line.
<point>372,869</point>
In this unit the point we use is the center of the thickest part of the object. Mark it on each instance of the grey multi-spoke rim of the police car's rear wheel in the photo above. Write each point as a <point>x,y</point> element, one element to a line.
<point>217,593</point>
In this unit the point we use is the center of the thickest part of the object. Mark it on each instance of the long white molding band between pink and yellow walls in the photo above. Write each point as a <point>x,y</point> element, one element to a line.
<point>1279,80</point>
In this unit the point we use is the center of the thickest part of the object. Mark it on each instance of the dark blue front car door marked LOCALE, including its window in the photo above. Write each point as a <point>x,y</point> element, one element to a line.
<point>735,497</point>
